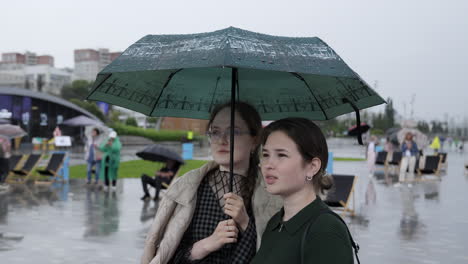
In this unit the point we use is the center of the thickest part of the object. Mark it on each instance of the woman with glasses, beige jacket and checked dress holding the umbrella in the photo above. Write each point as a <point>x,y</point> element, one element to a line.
<point>199,220</point>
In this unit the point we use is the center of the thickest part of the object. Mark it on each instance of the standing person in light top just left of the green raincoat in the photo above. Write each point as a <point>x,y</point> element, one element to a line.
<point>93,156</point>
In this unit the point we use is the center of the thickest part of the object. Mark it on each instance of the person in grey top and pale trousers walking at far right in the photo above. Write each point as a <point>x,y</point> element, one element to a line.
<point>408,162</point>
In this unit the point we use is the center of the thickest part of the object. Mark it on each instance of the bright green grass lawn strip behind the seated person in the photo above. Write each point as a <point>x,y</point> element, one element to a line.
<point>134,168</point>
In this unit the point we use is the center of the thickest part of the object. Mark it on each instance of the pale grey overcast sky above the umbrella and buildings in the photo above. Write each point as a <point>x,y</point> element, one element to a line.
<point>400,47</point>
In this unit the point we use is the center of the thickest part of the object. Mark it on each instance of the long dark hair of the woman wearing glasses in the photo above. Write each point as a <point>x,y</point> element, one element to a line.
<point>254,123</point>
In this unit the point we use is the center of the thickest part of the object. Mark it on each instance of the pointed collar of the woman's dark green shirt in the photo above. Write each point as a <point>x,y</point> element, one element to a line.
<point>299,220</point>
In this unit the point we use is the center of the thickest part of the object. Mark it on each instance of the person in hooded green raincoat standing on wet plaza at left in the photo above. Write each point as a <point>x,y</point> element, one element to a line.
<point>110,160</point>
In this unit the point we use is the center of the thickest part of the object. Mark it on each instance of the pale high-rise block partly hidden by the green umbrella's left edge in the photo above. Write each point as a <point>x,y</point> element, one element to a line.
<point>88,62</point>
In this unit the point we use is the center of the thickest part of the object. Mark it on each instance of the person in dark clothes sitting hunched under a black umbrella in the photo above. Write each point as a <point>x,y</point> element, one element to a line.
<point>162,176</point>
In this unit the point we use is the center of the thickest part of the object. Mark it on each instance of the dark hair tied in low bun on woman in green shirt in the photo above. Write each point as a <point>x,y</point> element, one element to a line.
<point>310,142</point>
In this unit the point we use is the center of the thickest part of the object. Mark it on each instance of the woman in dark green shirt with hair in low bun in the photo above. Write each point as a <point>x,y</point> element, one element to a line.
<point>294,158</point>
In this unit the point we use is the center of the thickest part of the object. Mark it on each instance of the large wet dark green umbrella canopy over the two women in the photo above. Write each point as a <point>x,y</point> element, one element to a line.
<point>186,75</point>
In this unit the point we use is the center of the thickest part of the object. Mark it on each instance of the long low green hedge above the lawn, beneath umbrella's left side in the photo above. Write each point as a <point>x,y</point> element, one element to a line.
<point>161,135</point>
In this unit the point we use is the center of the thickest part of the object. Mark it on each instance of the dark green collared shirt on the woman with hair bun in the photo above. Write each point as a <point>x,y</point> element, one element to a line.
<point>327,240</point>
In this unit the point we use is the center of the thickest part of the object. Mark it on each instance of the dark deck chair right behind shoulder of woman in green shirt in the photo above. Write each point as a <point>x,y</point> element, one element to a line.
<point>339,196</point>
